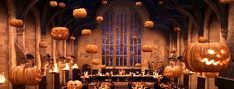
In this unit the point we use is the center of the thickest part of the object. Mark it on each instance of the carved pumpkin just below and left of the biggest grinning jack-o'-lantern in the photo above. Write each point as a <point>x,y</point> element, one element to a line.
<point>172,71</point>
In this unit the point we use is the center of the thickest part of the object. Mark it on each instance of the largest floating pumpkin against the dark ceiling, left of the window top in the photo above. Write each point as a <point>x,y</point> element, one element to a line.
<point>80,13</point>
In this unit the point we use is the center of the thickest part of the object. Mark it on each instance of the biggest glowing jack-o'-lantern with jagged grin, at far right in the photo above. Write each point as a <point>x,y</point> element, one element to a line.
<point>207,57</point>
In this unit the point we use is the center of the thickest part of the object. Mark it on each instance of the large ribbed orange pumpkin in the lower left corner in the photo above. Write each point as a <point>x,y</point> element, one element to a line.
<point>23,75</point>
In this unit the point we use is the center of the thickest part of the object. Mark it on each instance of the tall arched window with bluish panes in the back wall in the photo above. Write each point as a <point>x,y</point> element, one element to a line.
<point>121,37</point>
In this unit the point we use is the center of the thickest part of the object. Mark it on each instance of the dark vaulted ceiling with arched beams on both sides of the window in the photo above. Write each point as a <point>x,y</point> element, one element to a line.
<point>165,13</point>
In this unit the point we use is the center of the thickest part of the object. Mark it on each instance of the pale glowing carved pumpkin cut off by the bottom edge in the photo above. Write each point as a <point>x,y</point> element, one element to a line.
<point>74,84</point>
